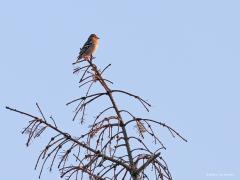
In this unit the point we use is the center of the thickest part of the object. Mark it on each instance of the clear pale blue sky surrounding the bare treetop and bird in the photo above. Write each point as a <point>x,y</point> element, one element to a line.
<point>181,55</point>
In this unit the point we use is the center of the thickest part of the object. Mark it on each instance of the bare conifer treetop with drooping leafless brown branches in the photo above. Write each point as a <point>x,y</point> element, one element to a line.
<point>110,149</point>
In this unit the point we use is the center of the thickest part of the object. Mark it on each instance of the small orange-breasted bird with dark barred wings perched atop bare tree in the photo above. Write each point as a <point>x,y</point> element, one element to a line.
<point>88,48</point>
